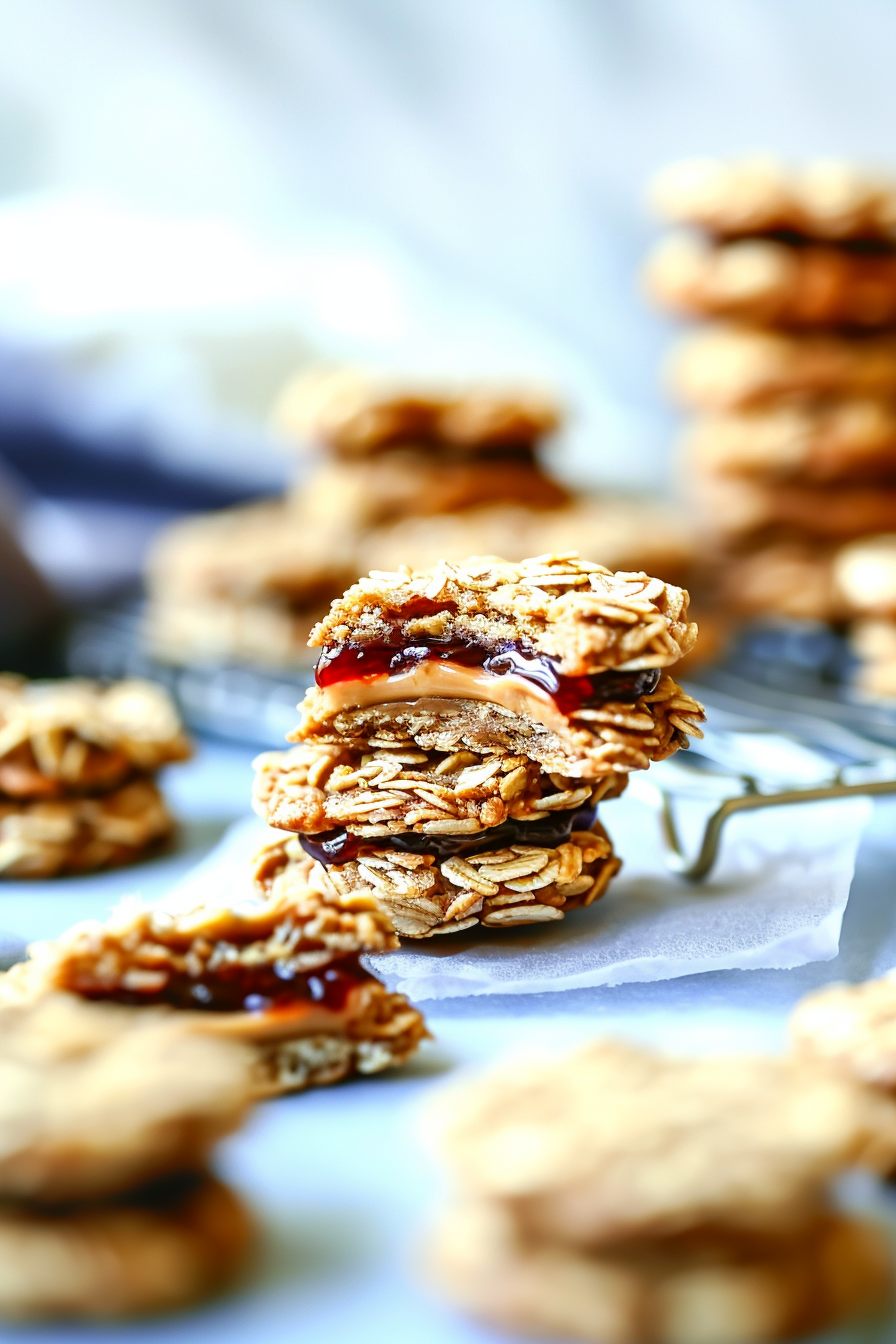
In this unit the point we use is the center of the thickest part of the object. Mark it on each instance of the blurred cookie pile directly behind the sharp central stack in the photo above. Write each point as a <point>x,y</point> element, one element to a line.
<point>400,474</point>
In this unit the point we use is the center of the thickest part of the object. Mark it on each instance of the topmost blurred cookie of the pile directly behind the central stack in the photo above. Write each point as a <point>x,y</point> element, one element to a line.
<point>357,415</point>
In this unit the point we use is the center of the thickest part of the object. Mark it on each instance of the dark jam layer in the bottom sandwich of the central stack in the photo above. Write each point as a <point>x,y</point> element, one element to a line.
<point>341,846</point>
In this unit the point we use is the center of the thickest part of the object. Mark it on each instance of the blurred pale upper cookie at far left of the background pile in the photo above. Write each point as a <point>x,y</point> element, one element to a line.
<point>251,553</point>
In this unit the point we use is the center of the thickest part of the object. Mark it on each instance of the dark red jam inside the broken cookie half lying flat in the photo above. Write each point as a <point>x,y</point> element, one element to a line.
<point>241,990</point>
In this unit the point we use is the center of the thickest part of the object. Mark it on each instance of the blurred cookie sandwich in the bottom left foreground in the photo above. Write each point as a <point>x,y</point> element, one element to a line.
<point>108,1122</point>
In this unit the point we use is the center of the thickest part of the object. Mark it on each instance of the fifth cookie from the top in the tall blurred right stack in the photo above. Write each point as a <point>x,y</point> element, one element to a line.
<point>742,510</point>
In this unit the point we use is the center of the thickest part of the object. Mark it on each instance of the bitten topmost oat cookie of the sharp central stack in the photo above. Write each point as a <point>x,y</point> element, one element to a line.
<point>578,614</point>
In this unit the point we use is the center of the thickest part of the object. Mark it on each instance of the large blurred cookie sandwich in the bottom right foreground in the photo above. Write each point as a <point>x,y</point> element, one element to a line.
<point>623,1197</point>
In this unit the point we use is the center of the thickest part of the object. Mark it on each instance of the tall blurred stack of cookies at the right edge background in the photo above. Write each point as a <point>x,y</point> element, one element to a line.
<point>792,451</point>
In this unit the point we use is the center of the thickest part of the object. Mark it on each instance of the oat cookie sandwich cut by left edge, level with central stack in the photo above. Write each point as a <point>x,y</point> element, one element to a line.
<point>77,775</point>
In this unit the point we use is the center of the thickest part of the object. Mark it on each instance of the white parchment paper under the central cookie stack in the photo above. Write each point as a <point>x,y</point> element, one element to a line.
<point>776,900</point>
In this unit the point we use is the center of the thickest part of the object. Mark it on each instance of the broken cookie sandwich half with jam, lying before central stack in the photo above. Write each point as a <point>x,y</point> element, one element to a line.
<point>280,972</point>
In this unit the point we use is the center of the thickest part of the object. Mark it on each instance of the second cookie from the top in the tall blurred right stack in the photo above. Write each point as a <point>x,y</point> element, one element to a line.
<point>774,283</point>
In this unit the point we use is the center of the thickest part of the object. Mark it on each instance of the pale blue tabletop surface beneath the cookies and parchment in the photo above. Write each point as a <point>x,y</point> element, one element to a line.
<point>338,1178</point>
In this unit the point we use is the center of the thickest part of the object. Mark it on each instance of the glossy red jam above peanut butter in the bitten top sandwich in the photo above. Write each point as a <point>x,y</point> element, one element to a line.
<point>359,662</point>
